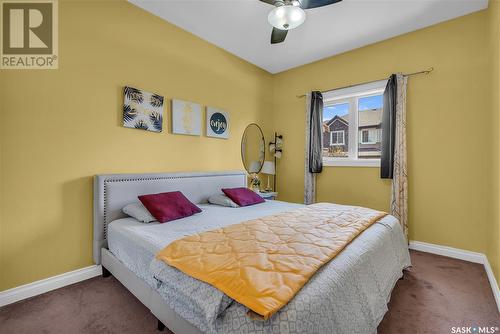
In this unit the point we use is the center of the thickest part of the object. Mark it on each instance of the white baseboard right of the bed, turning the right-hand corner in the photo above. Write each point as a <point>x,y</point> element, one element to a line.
<point>462,255</point>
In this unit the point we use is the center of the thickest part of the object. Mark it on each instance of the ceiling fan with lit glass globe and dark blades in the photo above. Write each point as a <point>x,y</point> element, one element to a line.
<point>289,14</point>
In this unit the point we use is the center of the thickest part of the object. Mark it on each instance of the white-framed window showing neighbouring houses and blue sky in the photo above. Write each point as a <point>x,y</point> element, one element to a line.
<point>352,125</point>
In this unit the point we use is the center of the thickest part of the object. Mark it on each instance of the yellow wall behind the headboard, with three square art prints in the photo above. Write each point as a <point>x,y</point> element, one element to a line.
<point>60,127</point>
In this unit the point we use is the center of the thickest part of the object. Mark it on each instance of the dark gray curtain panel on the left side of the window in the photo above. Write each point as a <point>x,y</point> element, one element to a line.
<point>316,133</point>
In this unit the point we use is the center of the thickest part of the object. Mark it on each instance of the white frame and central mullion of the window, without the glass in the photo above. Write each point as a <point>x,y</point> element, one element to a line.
<point>351,95</point>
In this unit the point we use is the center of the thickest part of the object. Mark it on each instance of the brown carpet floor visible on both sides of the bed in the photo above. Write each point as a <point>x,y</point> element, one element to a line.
<point>437,294</point>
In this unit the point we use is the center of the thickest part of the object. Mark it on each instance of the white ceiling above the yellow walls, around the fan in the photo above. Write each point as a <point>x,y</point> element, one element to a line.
<point>241,28</point>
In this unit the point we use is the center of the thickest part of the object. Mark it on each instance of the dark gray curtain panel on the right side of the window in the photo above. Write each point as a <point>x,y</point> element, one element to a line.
<point>388,128</point>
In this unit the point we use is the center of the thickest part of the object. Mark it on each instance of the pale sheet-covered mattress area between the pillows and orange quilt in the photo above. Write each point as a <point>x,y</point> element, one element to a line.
<point>135,244</point>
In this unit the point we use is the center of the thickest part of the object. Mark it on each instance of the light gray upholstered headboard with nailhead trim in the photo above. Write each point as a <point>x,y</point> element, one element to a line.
<point>112,192</point>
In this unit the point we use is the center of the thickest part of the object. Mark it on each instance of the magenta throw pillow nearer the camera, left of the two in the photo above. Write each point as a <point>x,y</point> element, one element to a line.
<point>168,206</point>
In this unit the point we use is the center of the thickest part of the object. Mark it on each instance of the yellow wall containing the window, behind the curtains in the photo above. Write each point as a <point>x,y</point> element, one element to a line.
<point>448,130</point>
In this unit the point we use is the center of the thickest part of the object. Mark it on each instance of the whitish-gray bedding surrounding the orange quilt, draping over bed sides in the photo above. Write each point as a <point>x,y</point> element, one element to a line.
<point>347,295</point>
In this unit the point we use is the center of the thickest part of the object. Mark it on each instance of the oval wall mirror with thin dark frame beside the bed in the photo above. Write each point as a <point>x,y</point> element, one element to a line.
<point>253,149</point>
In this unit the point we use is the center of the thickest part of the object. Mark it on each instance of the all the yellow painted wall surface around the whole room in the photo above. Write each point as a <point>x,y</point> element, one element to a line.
<point>58,128</point>
